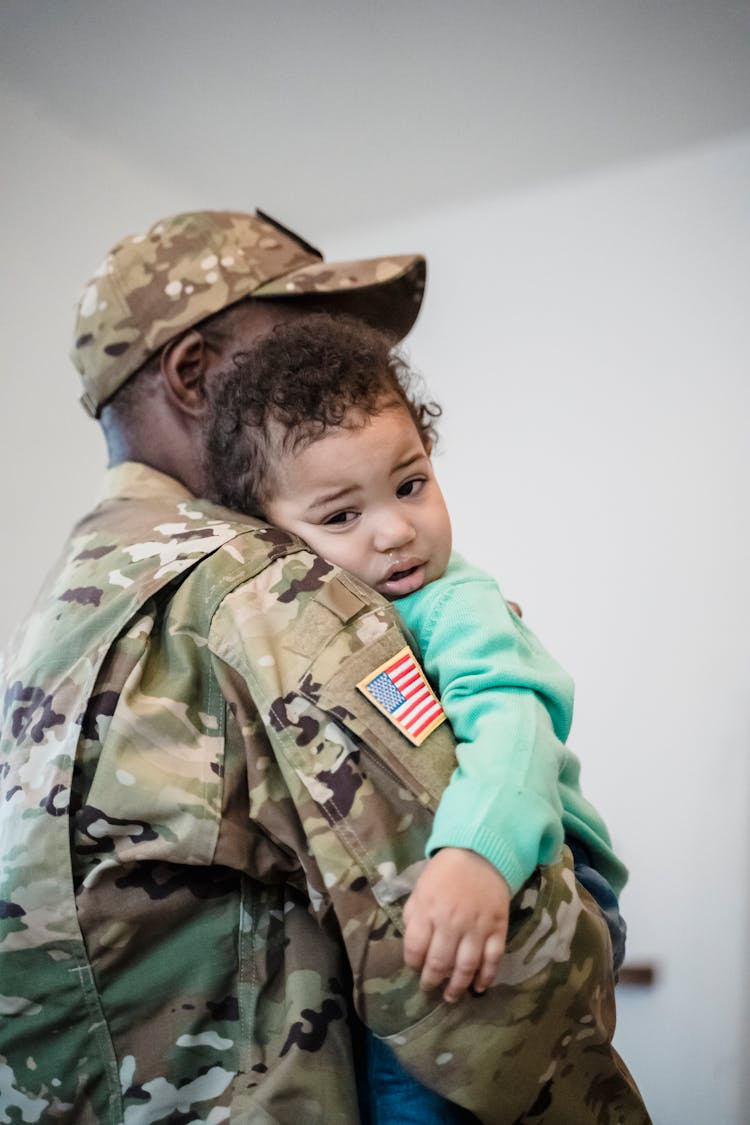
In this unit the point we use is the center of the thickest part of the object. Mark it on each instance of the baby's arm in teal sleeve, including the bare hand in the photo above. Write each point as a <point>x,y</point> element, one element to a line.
<point>510,706</point>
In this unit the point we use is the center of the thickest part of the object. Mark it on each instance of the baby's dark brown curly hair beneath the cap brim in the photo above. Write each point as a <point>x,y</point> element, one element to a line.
<point>299,382</point>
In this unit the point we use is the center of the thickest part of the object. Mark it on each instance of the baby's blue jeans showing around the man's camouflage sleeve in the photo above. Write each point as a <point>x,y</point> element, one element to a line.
<point>396,1099</point>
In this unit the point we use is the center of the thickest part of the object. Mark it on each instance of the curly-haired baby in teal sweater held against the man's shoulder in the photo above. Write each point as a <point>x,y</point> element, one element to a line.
<point>319,430</point>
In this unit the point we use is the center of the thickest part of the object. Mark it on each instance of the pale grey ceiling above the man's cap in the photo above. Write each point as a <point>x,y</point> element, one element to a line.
<point>371,110</point>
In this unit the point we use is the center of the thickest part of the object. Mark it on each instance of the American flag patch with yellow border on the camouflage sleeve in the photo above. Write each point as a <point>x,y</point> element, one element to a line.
<point>400,689</point>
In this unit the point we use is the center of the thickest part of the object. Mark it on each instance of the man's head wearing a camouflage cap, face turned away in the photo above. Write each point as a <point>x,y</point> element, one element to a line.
<point>169,309</point>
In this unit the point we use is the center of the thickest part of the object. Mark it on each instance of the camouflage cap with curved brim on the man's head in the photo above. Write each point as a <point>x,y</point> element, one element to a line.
<point>151,287</point>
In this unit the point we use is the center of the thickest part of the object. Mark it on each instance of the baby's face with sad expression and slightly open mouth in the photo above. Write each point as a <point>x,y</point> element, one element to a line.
<point>366,498</point>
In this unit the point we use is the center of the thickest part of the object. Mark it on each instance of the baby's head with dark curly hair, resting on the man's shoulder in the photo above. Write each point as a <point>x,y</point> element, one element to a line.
<point>319,430</point>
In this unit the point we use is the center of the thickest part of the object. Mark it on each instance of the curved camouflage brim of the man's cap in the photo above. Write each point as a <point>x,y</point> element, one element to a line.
<point>385,292</point>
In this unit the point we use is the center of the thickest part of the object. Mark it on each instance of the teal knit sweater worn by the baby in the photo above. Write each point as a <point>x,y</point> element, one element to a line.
<point>516,793</point>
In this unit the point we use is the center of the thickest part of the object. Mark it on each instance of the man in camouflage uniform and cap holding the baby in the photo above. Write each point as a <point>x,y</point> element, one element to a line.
<point>209,831</point>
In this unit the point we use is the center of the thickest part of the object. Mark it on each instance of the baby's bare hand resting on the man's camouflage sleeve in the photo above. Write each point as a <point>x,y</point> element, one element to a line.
<point>457,921</point>
